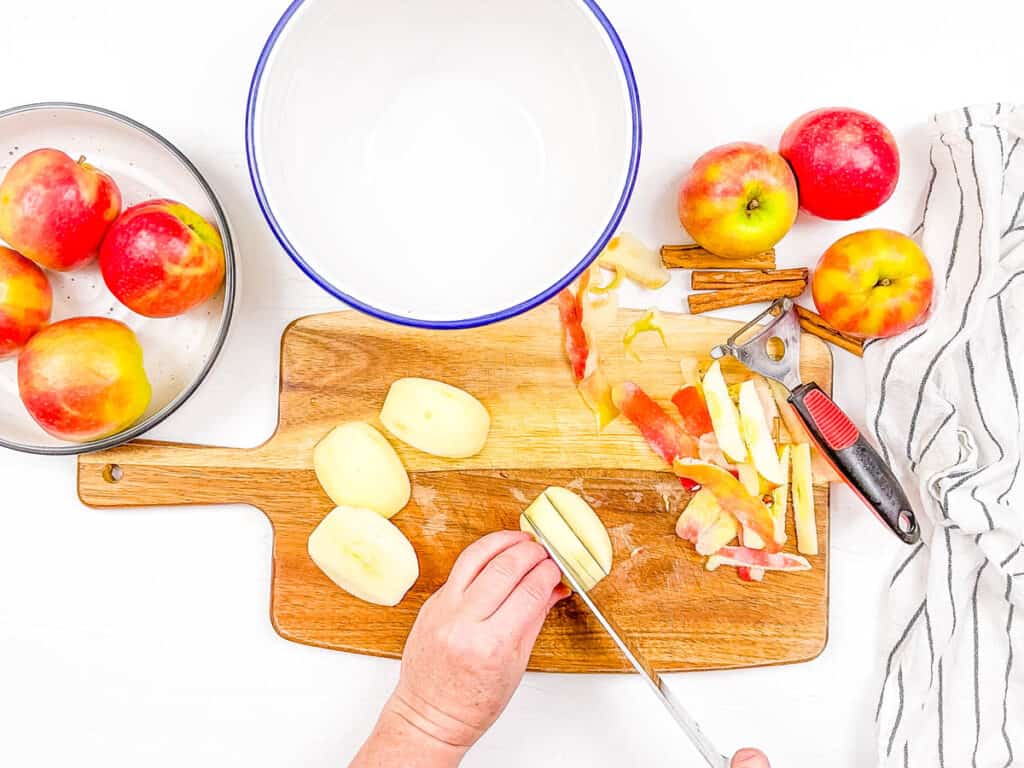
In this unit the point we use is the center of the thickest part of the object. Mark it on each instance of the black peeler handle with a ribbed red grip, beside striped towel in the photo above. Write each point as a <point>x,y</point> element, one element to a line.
<point>856,460</point>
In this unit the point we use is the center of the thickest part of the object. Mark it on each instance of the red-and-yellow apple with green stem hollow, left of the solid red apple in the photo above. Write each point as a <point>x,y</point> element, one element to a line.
<point>739,200</point>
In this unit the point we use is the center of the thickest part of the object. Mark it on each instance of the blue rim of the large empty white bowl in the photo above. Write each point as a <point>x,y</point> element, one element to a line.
<point>483,320</point>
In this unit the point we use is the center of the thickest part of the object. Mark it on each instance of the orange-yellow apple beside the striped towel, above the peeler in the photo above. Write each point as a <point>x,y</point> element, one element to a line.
<point>875,283</point>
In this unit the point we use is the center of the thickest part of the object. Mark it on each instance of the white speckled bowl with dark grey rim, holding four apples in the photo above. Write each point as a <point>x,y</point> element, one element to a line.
<point>178,352</point>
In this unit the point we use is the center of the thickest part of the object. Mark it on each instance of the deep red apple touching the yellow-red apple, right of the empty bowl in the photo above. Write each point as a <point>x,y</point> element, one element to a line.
<point>846,162</point>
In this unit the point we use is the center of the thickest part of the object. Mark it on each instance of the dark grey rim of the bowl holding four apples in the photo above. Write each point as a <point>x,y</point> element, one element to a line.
<point>226,316</point>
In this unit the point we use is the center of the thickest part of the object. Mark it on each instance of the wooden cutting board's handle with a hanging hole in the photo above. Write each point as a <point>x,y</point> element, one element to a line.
<point>150,474</point>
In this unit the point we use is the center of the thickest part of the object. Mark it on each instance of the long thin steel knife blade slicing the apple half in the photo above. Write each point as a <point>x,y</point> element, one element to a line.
<point>635,657</point>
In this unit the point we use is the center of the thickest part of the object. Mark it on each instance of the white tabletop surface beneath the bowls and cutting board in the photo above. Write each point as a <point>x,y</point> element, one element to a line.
<point>142,638</point>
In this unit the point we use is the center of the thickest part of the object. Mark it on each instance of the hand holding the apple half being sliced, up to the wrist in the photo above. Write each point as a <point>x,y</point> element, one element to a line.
<point>471,645</point>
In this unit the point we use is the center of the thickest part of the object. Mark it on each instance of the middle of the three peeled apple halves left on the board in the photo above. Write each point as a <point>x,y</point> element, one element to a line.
<point>357,467</point>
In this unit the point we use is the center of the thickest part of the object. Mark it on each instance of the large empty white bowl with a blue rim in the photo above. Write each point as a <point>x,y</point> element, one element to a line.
<point>444,164</point>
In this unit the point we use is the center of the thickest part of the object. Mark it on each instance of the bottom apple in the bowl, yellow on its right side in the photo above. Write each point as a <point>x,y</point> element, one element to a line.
<point>83,379</point>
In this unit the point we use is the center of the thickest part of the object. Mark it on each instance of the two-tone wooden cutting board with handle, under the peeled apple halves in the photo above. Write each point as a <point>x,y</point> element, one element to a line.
<point>338,367</point>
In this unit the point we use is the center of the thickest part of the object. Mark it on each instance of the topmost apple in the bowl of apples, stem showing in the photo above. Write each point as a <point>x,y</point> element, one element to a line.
<point>56,211</point>
